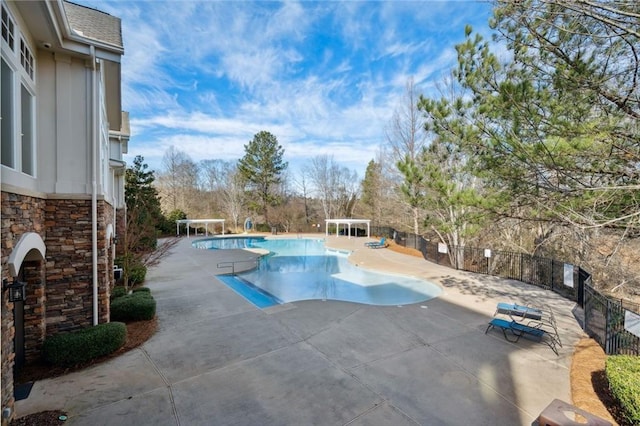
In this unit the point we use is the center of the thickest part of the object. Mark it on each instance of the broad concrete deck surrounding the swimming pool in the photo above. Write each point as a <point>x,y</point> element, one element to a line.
<point>216,359</point>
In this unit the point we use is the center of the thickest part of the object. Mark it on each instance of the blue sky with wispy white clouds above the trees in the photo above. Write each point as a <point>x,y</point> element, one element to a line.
<point>323,77</point>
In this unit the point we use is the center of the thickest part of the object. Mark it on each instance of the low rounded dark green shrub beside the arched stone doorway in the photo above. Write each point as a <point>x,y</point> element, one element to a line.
<point>79,347</point>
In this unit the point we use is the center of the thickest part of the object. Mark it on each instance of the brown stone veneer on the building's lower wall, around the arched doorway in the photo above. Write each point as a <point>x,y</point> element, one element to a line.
<point>60,288</point>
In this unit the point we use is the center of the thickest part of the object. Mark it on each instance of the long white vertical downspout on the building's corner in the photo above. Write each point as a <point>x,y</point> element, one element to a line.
<point>94,176</point>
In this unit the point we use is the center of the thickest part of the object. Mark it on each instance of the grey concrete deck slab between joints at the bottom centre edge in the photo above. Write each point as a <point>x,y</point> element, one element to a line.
<point>294,385</point>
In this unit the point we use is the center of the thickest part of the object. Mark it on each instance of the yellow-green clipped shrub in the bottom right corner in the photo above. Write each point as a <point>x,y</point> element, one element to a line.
<point>623,373</point>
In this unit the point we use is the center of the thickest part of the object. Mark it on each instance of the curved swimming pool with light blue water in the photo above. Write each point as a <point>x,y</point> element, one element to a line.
<point>303,269</point>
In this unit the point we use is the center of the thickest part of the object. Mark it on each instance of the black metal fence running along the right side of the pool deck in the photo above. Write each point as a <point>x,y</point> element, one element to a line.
<point>604,317</point>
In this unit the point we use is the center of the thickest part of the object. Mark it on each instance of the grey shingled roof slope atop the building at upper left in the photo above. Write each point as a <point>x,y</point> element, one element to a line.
<point>94,24</point>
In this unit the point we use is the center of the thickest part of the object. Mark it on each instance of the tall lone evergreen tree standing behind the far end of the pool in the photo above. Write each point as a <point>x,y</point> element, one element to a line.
<point>262,167</point>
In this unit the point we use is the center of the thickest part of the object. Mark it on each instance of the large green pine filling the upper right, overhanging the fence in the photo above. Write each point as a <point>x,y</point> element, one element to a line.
<point>559,118</point>
